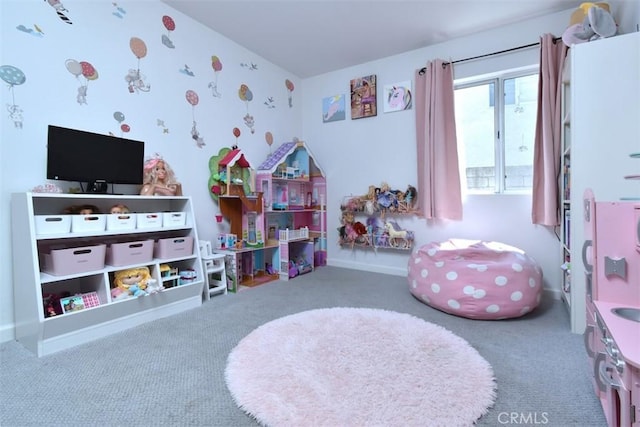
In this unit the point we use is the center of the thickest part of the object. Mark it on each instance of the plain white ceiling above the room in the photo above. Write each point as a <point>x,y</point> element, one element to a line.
<point>312,37</point>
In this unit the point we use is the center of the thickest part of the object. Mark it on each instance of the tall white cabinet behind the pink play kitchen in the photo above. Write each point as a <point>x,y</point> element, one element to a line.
<point>605,129</point>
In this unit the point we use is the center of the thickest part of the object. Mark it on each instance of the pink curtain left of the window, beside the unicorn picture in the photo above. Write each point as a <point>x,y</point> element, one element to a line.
<point>439,194</point>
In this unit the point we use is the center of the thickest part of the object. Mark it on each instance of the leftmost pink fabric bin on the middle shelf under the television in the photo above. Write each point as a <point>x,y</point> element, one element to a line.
<point>61,262</point>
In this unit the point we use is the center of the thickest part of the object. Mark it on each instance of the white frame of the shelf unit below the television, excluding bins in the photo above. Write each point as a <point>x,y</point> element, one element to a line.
<point>45,335</point>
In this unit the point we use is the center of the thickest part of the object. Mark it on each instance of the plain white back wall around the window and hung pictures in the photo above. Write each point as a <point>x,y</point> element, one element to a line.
<point>369,151</point>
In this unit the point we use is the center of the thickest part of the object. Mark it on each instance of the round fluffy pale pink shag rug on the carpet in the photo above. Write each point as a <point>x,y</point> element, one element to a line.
<point>358,367</point>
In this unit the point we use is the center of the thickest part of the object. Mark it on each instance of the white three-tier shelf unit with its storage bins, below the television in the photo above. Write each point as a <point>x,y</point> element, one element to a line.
<point>83,268</point>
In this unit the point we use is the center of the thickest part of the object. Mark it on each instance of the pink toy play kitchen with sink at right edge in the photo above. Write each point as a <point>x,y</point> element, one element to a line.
<point>611,257</point>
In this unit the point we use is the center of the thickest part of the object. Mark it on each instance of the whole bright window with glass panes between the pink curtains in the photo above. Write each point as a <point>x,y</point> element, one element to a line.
<point>495,125</point>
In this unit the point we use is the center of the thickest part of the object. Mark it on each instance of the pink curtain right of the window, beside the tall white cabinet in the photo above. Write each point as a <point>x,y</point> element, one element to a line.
<point>546,152</point>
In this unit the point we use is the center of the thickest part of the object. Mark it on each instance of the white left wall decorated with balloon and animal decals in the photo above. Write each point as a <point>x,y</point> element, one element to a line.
<point>101,38</point>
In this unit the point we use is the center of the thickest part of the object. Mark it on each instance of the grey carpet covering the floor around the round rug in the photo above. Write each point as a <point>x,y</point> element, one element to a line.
<point>171,372</point>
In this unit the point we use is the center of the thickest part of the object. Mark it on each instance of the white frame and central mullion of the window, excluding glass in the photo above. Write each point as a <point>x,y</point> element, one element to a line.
<point>497,79</point>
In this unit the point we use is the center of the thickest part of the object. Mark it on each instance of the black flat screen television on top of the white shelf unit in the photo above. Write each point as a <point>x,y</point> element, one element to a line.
<point>95,159</point>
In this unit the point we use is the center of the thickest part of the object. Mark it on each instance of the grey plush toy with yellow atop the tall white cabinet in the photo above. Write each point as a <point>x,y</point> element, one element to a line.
<point>590,21</point>
